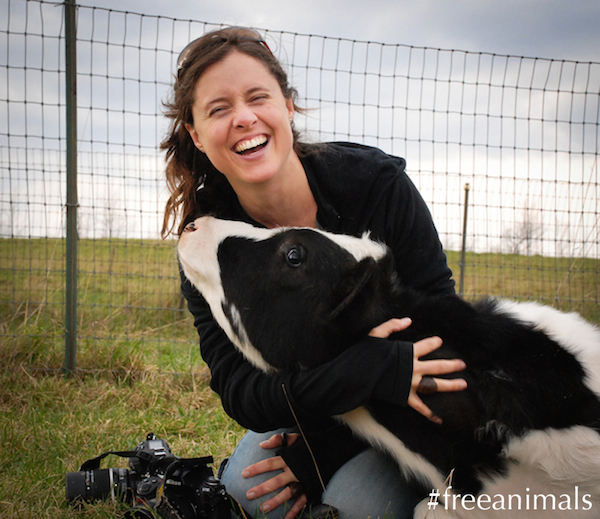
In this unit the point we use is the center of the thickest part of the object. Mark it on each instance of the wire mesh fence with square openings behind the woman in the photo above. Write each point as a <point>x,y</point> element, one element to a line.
<point>523,133</point>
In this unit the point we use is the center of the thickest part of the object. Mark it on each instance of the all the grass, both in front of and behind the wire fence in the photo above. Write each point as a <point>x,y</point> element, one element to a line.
<point>139,369</point>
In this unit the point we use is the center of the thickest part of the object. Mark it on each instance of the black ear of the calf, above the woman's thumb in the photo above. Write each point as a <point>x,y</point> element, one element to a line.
<point>357,297</point>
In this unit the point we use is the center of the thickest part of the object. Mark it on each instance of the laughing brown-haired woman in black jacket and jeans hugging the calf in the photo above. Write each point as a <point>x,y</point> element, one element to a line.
<point>233,152</point>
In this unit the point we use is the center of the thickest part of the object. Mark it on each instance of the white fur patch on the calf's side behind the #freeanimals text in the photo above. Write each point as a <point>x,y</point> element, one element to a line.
<point>556,469</point>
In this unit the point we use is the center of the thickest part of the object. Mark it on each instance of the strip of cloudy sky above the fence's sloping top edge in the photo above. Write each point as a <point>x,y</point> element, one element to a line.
<point>555,29</point>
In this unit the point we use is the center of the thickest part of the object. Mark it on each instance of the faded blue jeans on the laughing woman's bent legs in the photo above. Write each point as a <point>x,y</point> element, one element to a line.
<point>367,486</point>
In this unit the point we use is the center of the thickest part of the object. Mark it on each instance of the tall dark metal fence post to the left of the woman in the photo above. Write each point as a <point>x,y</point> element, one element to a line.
<point>71,243</point>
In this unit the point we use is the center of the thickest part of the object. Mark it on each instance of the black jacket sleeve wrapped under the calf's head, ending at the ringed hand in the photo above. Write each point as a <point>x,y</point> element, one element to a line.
<point>371,368</point>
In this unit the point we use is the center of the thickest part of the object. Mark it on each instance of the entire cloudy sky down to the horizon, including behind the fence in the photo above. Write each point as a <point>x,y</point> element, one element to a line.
<point>414,116</point>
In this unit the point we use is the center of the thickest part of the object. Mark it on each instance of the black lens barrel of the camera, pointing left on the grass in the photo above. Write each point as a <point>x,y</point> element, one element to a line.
<point>100,484</point>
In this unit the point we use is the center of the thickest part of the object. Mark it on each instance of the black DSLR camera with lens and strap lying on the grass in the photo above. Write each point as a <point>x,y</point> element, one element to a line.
<point>157,484</point>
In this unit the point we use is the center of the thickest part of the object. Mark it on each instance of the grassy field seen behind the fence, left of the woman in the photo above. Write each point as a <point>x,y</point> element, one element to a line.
<point>129,305</point>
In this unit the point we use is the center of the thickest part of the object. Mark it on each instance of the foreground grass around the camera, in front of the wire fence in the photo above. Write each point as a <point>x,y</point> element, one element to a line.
<point>49,425</point>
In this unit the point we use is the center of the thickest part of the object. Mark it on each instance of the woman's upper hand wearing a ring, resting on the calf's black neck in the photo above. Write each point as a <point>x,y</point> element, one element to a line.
<point>422,379</point>
